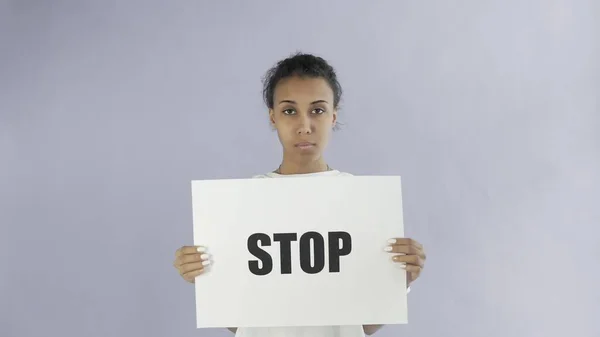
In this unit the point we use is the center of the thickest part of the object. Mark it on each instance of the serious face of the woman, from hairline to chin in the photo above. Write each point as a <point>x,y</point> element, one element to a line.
<point>304,115</point>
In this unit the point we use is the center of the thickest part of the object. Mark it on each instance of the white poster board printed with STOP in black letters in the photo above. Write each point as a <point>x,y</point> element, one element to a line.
<point>358,284</point>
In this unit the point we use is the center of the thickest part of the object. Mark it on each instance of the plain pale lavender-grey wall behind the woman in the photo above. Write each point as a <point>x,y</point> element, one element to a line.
<point>489,111</point>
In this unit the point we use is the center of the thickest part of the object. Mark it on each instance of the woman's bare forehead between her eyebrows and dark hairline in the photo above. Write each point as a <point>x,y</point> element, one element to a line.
<point>298,87</point>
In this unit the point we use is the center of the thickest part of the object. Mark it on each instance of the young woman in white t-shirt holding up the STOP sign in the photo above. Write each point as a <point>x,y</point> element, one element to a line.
<point>302,93</point>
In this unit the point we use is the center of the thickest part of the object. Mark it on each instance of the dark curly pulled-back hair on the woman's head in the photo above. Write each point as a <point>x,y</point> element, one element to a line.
<point>303,65</point>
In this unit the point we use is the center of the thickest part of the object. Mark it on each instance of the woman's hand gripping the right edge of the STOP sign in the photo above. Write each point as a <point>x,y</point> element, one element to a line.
<point>410,253</point>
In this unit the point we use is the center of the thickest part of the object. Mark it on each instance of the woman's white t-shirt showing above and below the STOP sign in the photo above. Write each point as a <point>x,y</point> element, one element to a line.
<point>308,331</point>
